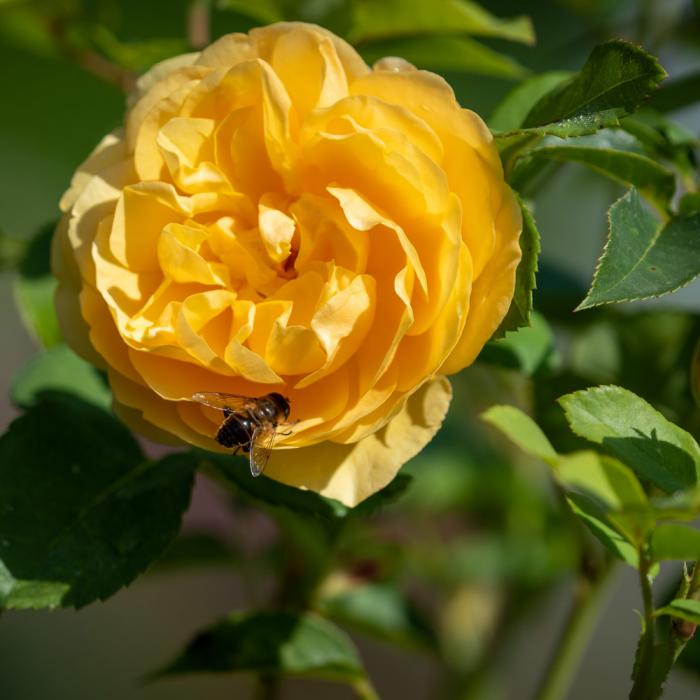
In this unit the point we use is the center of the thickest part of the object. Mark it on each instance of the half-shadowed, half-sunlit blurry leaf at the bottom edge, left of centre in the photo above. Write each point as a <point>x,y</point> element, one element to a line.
<point>285,643</point>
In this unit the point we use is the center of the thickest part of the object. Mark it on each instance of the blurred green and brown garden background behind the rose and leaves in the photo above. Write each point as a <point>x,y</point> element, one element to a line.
<point>478,546</point>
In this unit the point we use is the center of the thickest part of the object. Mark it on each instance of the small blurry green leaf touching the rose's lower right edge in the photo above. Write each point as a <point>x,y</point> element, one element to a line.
<point>527,349</point>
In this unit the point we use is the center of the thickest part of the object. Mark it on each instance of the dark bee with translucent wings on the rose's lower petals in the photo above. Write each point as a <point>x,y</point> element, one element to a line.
<point>251,424</point>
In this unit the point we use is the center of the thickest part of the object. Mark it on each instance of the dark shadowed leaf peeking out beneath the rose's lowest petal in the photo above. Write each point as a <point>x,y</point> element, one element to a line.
<point>306,503</point>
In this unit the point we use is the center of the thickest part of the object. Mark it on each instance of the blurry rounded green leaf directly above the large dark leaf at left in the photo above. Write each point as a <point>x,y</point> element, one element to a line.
<point>59,369</point>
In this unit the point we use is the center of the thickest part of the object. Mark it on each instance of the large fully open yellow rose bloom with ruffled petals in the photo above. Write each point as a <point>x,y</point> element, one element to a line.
<point>277,216</point>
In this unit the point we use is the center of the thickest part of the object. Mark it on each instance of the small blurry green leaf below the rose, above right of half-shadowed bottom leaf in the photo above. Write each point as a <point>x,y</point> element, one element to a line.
<point>379,610</point>
